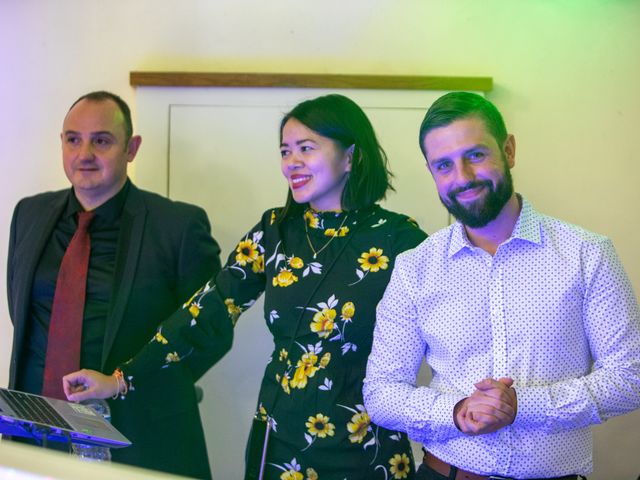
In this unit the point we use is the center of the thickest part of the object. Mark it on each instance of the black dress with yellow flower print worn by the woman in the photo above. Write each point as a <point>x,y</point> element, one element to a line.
<point>322,274</point>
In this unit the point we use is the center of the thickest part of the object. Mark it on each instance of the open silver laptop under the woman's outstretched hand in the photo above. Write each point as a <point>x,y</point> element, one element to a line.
<point>48,419</point>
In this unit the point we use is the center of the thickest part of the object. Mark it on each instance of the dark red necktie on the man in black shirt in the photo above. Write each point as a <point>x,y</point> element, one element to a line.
<point>65,326</point>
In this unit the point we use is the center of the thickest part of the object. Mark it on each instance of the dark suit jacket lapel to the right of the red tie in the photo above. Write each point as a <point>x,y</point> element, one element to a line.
<point>134,215</point>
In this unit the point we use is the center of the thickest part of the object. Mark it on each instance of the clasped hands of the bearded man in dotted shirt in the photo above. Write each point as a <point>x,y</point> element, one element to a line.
<point>491,407</point>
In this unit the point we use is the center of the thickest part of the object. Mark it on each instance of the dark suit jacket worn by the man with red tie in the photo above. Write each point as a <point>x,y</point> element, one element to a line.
<point>164,253</point>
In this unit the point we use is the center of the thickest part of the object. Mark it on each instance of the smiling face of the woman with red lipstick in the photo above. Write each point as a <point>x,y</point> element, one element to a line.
<point>316,167</point>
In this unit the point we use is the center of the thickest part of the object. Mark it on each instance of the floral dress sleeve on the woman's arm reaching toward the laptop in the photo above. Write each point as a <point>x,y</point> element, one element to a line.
<point>203,326</point>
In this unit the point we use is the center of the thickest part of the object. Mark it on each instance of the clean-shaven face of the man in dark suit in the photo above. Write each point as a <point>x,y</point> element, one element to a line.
<point>95,152</point>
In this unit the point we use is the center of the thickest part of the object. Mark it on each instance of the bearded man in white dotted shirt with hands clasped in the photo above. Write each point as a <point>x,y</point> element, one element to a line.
<point>529,324</point>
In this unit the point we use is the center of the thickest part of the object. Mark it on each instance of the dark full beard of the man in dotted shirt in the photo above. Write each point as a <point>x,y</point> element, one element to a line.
<point>484,210</point>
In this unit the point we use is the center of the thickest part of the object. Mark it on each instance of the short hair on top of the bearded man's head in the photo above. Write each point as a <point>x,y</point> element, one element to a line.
<point>458,105</point>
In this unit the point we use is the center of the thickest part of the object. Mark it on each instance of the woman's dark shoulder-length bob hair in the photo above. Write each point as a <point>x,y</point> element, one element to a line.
<point>343,121</point>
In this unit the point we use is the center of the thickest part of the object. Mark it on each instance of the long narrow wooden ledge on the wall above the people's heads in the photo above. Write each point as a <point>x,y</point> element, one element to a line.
<point>292,80</point>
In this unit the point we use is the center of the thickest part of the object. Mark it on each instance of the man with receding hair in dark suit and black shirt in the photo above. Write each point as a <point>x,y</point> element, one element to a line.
<point>148,255</point>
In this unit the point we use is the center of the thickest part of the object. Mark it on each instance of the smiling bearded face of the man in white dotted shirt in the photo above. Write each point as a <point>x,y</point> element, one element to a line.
<point>471,171</point>
